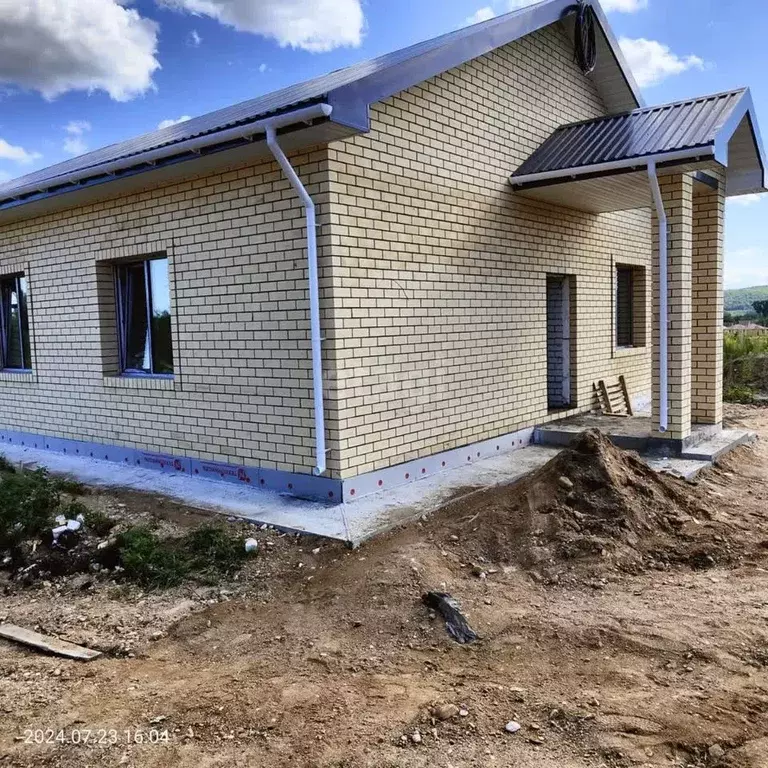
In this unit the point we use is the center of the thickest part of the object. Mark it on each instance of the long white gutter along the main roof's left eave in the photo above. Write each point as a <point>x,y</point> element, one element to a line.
<point>197,144</point>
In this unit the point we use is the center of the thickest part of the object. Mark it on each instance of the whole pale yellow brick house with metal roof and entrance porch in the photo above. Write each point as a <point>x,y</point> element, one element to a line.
<point>486,246</point>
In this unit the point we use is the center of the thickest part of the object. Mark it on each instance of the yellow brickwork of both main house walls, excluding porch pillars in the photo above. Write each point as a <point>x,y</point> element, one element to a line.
<point>433,278</point>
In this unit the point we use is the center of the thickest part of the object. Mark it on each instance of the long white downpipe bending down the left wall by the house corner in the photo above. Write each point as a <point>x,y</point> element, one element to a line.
<point>314,296</point>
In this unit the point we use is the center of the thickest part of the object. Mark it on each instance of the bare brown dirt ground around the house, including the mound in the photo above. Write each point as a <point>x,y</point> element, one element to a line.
<point>619,627</point>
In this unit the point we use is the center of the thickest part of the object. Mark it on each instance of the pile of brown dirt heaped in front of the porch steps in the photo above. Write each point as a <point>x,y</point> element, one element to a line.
<point>592,501</point>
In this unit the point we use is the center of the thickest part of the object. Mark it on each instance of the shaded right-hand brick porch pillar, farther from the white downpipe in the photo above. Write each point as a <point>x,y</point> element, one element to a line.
<point>707,354</point>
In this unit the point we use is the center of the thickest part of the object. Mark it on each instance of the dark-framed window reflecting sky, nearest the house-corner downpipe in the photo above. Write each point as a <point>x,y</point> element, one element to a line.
<point>144,317</point>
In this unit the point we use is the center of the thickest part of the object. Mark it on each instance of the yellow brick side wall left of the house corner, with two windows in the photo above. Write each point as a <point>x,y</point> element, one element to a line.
<point>242,390</point>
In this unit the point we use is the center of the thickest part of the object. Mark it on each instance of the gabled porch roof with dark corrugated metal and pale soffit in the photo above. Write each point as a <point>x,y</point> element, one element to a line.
<point>600,165</point>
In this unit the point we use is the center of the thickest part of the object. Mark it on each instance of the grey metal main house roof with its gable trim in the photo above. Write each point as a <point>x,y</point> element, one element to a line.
<point>350,91</point>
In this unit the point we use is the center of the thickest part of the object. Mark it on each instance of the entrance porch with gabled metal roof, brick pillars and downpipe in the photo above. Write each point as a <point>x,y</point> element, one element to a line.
<point>681,160</point>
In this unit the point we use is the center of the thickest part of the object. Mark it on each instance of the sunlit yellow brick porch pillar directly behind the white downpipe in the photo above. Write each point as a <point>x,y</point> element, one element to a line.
<point>677,193</point>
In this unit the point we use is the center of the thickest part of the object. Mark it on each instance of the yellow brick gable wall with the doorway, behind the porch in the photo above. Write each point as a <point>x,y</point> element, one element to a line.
<point>438,323</point>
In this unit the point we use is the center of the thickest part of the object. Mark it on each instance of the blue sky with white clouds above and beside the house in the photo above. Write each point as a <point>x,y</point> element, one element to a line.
<point>79,74</point>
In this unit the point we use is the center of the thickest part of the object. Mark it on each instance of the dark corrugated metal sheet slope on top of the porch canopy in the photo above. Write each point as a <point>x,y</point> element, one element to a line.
<point>639,134</point>
